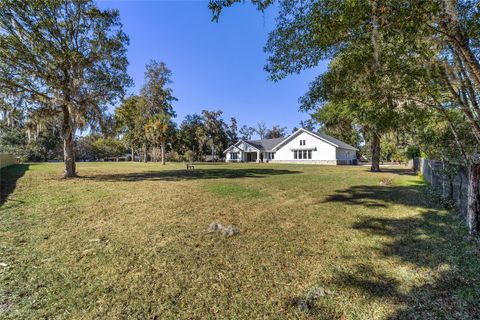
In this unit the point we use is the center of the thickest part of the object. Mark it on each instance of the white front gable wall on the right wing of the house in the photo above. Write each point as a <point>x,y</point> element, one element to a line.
<point>324,151</point>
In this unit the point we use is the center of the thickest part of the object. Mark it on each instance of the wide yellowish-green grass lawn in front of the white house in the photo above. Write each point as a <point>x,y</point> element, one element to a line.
<point>130,240</point>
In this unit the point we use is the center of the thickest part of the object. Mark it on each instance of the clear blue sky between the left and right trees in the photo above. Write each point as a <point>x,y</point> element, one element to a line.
<point>215,65</point>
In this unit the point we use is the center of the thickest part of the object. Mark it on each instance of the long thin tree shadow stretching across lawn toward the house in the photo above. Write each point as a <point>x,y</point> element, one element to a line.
<point>178,175</point>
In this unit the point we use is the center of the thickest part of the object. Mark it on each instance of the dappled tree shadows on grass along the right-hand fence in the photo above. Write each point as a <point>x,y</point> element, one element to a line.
<point>434,241</point>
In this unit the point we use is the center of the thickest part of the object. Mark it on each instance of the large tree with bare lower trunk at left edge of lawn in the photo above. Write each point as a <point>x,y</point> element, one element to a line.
<point>63,57</point>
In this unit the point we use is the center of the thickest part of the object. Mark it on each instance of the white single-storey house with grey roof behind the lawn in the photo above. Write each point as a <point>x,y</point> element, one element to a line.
<point>302,146</point>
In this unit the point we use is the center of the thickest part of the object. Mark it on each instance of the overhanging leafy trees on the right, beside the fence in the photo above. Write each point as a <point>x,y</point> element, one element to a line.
<point>392,62</point>
